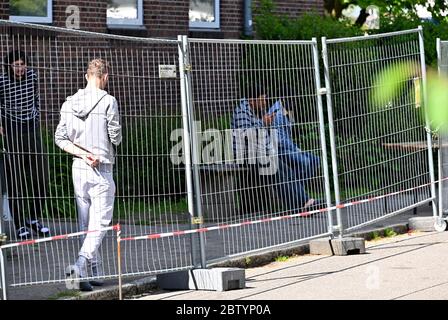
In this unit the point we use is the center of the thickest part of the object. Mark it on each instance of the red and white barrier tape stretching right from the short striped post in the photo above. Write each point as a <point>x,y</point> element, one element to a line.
<point>302,214</point>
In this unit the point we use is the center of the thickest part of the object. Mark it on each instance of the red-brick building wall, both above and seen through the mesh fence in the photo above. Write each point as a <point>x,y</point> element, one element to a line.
<point>60,58</point>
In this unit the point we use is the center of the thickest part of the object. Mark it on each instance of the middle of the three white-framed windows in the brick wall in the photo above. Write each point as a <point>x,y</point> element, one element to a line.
<point>125,12</point>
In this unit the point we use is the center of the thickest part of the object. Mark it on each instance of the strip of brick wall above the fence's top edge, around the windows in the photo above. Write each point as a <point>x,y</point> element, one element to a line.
<point>166,18</point>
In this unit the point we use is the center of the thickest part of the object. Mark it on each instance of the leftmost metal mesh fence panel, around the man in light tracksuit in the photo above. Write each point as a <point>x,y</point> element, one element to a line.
<point>151,194</point>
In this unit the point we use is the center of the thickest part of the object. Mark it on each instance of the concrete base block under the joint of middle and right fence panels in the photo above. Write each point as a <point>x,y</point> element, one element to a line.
<point>338,247</point>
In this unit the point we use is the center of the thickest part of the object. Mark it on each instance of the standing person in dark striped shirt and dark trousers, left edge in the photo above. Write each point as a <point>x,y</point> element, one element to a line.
<point>25,168</point>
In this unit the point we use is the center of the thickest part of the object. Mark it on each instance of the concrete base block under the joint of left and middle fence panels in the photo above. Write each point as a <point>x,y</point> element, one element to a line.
<point>216,279</point>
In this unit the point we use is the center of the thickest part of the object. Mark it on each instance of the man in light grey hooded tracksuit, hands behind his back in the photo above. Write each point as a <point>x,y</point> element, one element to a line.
<point>89,128</point>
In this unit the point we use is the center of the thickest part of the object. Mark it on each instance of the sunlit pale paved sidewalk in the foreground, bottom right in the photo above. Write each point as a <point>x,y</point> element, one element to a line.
<point>409,266</point>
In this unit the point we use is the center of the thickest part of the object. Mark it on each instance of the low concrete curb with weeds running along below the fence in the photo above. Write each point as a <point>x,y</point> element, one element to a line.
<point>144,285</point>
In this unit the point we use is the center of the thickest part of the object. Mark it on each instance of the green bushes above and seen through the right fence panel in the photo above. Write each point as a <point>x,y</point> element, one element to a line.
<point>363,152</point>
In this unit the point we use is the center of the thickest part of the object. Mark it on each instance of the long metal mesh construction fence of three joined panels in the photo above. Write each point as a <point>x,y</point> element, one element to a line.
<point>187,193</point>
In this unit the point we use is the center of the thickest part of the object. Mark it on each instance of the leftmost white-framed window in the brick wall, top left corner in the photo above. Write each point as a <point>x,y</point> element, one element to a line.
<point>36,11</point>
